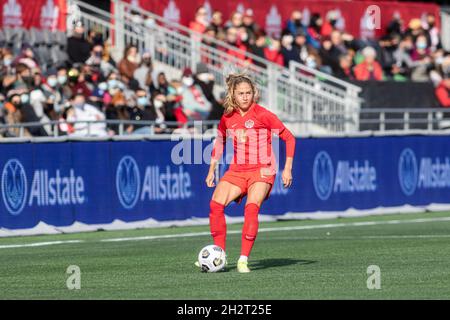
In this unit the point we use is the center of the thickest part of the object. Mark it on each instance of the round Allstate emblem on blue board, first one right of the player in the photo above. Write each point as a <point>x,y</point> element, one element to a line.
<point>323,175</point>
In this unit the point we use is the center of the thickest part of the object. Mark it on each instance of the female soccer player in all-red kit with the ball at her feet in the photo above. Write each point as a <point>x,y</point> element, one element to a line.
<point>252,171</point>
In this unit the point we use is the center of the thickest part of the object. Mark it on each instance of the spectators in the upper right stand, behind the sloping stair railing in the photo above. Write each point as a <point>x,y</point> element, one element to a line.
<point>405,52</point>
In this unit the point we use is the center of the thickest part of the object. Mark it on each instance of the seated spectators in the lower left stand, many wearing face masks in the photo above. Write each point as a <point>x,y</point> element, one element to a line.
<point>90,86</point>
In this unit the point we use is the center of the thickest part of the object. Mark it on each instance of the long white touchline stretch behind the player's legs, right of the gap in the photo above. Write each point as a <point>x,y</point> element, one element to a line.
<point>318,226</point>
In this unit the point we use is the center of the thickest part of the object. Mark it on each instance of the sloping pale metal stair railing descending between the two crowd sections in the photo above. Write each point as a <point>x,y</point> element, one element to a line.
<point>290,94</point>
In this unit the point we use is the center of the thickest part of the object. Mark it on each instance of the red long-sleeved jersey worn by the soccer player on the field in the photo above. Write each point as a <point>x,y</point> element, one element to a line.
<point>252,138</point>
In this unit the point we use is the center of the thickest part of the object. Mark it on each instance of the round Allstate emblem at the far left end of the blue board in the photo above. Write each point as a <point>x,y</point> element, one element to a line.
<point>14,186</point>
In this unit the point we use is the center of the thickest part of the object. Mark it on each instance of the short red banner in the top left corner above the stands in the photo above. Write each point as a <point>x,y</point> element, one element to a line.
<point>41,14</point>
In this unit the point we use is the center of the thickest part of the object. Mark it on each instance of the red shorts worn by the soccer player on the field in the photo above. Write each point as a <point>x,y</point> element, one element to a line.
<point>244,179</point>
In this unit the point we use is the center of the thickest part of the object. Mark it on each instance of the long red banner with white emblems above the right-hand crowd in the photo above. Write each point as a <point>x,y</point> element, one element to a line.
<point>355,17</point>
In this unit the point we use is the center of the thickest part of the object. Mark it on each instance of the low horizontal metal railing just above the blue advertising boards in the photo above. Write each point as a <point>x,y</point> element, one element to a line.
<point>370,120</point>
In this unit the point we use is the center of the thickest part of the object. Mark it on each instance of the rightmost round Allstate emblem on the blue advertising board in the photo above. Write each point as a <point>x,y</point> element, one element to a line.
<point>408,172</point>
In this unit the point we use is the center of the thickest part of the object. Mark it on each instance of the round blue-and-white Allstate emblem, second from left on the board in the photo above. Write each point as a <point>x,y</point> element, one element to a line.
<point>128,182</point>
